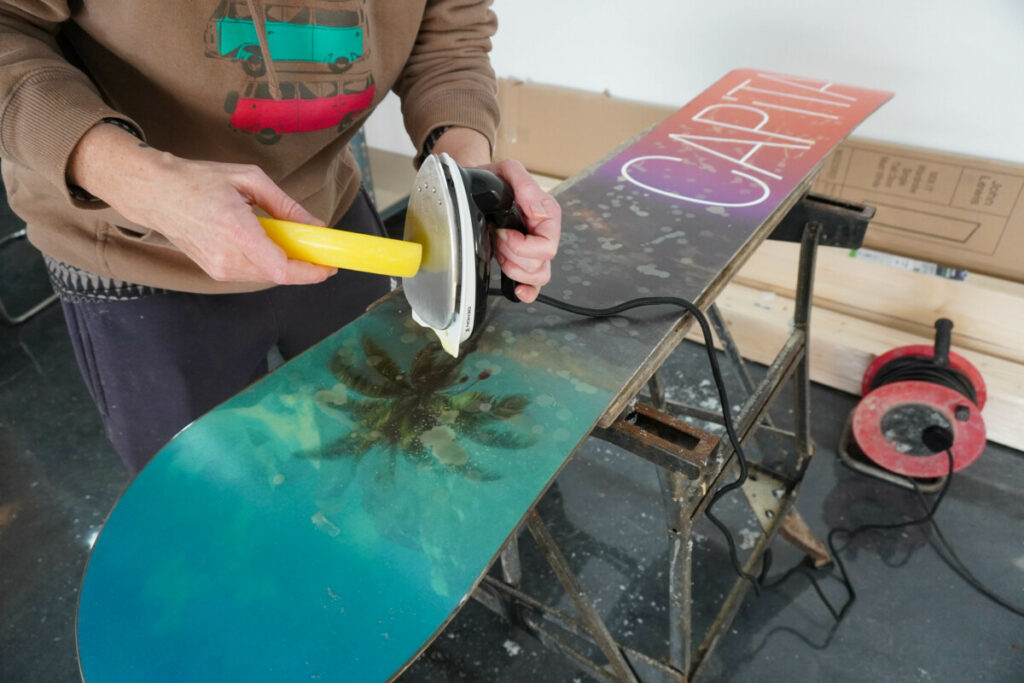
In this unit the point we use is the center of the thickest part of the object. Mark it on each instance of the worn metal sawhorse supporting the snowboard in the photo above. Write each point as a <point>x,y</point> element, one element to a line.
<point>693,464</point>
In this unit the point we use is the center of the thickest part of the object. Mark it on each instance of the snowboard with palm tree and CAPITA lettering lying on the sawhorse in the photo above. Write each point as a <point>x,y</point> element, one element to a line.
<point>327,523</point>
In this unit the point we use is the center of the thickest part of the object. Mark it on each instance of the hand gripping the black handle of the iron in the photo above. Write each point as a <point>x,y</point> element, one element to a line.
<point>527,259</point>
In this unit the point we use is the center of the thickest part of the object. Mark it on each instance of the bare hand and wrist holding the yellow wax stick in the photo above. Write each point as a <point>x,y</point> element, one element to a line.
<point>203,208</point>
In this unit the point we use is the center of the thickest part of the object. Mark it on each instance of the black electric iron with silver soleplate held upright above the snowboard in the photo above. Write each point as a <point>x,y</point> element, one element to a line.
<point>451,212</point>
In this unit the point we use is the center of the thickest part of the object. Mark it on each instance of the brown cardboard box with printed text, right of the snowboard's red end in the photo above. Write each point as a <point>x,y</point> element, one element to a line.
<point>951,209</point>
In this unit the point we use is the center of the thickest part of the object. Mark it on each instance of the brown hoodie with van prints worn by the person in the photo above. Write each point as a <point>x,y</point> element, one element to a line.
<point>195,79</point>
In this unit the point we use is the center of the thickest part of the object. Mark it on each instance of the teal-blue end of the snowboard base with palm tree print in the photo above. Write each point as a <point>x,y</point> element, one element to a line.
<point>369,484</point>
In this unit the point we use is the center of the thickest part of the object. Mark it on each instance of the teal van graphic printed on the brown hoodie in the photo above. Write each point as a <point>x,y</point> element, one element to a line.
<point>313,35</point>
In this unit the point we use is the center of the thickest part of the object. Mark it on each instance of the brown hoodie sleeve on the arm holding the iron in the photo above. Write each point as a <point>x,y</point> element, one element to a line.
<point>448,79</point>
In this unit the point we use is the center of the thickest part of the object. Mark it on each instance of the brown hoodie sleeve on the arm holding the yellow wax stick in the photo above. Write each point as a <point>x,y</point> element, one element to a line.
<point>47,105</point>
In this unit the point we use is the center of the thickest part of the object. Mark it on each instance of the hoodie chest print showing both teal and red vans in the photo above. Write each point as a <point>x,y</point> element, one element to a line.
<point>320,49</point>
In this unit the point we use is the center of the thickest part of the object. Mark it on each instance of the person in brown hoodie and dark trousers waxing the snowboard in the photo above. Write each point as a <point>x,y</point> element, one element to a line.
<point>139,141</point>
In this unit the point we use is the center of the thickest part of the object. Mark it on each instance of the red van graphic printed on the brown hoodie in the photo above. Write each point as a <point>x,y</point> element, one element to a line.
<point>304,107</point>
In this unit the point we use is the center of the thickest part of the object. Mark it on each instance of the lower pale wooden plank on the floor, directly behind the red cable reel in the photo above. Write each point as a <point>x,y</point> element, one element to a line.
<point>842,348</point>
